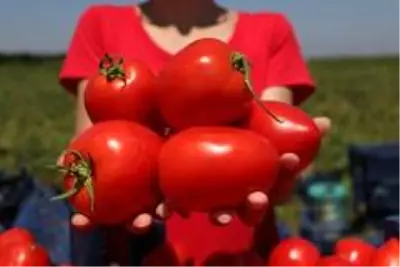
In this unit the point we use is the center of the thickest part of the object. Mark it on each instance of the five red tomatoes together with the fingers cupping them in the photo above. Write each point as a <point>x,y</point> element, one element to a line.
<point>207,164</point>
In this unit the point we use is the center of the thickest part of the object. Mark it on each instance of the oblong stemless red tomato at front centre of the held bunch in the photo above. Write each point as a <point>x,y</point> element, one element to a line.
<point>204,168</point>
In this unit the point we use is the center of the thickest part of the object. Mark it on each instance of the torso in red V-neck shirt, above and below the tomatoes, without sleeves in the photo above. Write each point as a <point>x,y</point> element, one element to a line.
<point>125,34</point>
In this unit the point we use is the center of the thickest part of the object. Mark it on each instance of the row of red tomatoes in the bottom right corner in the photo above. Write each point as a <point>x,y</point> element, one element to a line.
<point>348,252</point>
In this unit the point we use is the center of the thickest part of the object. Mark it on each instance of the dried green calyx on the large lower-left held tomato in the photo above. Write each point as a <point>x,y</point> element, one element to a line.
<point>81,170</point>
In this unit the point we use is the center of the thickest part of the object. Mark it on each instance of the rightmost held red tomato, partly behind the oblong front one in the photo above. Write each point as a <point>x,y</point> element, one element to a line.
<point>294,132</point>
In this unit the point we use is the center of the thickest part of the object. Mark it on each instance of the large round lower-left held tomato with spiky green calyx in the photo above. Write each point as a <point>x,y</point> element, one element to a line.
<point>113,165</point>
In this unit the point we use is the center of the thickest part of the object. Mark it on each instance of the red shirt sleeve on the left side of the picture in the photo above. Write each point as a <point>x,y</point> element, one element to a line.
<point>84,52</point>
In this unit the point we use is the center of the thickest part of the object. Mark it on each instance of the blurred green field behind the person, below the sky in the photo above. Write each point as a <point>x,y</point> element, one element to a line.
<point>360,95</point>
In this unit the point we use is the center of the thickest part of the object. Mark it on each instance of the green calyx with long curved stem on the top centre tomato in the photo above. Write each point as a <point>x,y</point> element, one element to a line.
<point>241,64</point>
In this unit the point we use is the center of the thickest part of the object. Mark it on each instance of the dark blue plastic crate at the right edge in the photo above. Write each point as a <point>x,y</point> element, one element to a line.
<point>375,173</point>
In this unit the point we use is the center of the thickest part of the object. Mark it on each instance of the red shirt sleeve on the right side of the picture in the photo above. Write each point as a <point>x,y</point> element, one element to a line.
<point>286,66</point>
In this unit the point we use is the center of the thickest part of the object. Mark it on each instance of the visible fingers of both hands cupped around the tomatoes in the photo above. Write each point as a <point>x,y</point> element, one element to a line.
<point>251,212</point>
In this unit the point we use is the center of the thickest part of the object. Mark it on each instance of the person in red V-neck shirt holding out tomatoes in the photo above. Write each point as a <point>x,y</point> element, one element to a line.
<point>155,30</point>
